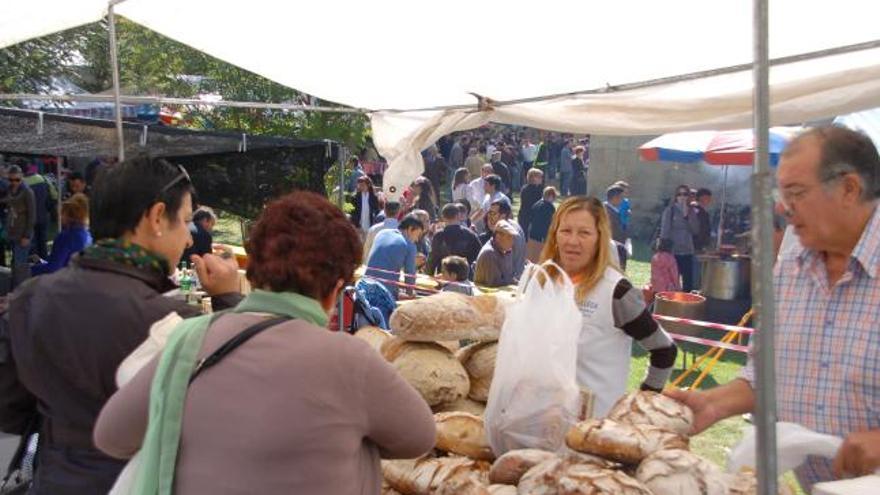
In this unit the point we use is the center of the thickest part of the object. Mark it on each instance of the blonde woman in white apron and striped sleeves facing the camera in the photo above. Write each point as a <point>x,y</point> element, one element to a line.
<point>613,311</point>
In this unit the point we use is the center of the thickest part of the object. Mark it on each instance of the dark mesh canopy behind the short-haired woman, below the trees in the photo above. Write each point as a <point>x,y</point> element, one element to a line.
<point>224,175</point>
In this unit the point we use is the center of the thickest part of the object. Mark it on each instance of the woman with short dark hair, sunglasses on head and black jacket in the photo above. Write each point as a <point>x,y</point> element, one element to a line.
<point>79,323</point>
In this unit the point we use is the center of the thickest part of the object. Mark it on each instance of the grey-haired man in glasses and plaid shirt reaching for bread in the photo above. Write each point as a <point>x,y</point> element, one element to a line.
<point>827,290</point>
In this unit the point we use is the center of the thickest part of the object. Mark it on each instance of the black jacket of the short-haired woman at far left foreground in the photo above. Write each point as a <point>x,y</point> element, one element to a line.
<point>69,331</point>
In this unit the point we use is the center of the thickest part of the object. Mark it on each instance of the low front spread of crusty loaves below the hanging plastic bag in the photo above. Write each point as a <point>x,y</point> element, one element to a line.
<point>641,448</point>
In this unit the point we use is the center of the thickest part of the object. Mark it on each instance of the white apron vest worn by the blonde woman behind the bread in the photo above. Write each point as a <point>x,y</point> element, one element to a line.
<point>604,351</point>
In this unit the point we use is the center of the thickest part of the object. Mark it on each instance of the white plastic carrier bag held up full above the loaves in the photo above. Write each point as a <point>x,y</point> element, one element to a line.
<point>534,398</point>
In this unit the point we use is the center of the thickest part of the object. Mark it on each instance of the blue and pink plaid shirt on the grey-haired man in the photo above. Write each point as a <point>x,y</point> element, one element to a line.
<point>828,344</point>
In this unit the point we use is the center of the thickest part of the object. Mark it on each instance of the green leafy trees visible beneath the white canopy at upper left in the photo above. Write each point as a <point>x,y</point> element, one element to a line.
<point>151,64</point>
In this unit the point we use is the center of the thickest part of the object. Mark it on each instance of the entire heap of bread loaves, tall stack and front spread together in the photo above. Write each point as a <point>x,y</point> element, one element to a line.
<point>640,447</point>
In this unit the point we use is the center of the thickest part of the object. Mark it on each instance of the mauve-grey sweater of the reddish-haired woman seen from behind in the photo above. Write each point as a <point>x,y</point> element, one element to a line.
<point>296,409</point>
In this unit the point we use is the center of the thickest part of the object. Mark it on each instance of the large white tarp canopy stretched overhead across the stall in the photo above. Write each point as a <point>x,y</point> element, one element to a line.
<point>400,54</point>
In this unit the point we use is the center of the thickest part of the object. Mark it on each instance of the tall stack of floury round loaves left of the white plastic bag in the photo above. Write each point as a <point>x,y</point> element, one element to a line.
<point>425,348</point>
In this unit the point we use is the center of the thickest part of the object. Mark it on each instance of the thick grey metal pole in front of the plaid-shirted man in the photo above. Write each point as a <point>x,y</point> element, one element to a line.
<point>762,262</point>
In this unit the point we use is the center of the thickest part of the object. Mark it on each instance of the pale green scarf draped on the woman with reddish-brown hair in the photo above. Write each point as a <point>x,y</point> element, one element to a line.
<point>168,392</point>
